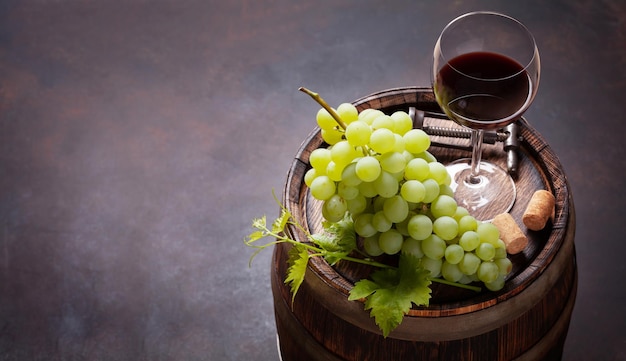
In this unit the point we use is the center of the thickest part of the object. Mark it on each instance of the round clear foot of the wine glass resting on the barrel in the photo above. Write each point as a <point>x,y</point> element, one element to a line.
<point>491,193</point>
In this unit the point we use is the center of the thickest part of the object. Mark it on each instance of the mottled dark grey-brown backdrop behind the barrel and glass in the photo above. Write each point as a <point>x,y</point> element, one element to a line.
<point>139,138</point>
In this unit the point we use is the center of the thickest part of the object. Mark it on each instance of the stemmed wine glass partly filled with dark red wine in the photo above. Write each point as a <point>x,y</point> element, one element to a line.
<point>485,75</point>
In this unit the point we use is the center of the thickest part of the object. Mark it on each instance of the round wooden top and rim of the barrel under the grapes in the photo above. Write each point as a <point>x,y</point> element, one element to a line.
<point>539,168</point>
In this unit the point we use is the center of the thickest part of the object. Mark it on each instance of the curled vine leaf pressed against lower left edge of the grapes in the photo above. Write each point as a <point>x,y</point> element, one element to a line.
<point>338,239</point>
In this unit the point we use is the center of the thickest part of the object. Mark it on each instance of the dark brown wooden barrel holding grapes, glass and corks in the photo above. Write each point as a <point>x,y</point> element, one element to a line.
<point>527,320</point>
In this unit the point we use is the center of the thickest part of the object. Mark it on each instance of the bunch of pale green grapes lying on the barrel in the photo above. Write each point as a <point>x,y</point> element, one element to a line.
<point>377,167</point>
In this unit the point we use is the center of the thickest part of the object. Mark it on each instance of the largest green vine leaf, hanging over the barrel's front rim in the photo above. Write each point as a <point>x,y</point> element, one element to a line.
<point>390,293</point>
